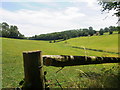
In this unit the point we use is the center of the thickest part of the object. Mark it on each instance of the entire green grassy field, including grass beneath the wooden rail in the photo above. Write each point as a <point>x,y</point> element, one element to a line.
<point>12,60</point>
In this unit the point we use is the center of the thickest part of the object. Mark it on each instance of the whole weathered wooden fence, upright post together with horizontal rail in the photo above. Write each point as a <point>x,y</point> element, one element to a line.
<point>34,61</point>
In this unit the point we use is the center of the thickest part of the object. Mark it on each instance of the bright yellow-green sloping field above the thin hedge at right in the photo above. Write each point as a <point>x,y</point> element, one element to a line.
<point>103,42</point>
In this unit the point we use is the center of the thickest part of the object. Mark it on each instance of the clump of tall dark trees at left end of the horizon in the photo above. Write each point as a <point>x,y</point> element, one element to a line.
<point>10,31</point>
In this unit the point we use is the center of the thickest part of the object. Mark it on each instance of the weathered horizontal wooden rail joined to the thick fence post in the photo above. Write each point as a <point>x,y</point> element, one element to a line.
<point>69,60</point>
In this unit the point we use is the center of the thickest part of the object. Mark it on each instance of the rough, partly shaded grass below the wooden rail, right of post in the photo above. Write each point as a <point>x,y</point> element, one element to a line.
<point>71,76</point>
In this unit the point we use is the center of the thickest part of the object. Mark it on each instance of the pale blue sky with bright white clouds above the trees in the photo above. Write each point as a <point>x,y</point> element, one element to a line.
<point>47,16</point>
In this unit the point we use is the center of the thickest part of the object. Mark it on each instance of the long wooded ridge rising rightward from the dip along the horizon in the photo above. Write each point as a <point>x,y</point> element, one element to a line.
<point>74,33</point>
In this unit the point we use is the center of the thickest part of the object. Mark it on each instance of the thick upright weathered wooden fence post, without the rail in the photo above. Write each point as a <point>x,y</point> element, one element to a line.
<point>33,70</point>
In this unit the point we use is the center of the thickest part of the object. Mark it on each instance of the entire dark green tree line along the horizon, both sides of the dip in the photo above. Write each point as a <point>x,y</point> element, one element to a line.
<point>11,31</point>
